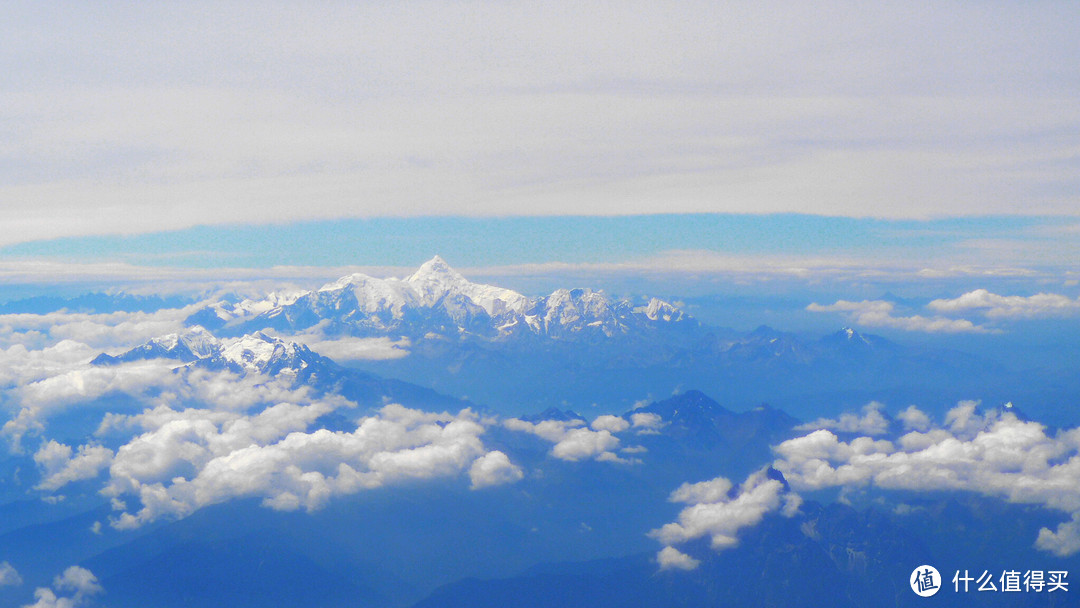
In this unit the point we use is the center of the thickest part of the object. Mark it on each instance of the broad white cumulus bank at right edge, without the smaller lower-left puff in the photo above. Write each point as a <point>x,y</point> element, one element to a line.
<point>992,454</point>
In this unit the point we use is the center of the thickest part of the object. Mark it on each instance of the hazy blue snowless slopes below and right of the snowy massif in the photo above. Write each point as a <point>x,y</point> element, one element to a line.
<point>807,376</point>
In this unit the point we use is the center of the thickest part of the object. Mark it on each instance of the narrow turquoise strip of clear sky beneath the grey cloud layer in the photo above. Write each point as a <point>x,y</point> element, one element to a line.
<point>501,241</point>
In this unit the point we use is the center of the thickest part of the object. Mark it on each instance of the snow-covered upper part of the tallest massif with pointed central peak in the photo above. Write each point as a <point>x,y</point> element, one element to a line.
<point>438,301</point>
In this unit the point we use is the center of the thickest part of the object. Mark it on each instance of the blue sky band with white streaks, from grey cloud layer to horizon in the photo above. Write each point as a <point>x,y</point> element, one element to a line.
<point>685,254</point>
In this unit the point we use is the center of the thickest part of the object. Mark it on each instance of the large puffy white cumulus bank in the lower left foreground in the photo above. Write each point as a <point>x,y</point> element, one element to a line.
<point>193,458</point>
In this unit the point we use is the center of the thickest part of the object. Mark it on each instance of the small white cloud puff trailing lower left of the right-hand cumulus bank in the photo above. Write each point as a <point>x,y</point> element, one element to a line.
<point>718,512</point>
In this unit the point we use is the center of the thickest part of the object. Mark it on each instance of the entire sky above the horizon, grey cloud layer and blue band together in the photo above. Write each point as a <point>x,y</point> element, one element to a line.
<point>859,147</point>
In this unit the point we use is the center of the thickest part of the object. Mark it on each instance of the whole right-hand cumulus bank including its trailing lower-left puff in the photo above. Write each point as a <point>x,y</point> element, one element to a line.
<point>990,453</point>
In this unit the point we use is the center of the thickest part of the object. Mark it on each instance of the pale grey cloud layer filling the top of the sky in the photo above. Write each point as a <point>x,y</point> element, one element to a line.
<point>126,118</point>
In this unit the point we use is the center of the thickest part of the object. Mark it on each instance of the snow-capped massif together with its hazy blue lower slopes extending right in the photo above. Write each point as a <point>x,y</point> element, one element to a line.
<point>576,348</point>
